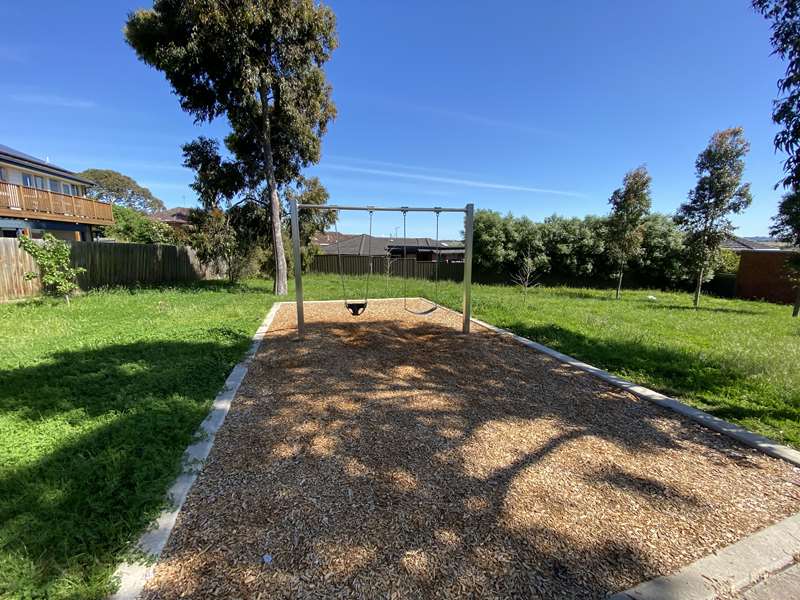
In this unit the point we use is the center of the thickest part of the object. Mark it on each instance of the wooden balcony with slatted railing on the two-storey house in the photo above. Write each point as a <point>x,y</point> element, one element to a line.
<point>17,201</point>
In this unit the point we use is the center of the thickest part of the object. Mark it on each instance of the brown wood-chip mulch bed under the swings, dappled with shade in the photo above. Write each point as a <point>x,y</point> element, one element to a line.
<point>391,456</point>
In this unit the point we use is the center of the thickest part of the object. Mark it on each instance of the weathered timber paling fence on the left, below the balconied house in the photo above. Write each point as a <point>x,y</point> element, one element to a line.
<point>106,264</point>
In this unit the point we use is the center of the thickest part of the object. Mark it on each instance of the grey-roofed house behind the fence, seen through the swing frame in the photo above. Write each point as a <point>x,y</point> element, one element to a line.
<point>421,249</point>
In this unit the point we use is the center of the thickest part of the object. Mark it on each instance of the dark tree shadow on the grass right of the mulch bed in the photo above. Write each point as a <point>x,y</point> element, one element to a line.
<point>672,371</point>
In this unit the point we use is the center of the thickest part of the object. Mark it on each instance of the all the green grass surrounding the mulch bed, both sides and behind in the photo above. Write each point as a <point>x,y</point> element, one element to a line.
<point>99,400</point>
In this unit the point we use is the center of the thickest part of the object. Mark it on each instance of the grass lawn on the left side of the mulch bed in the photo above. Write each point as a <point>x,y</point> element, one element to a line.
<point>97,403</point>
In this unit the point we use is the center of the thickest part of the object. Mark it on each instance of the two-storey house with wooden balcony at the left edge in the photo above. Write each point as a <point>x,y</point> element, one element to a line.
<point>37,197</point>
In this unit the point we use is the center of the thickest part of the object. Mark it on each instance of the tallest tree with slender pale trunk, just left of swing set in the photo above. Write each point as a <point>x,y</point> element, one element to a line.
<point>259,63</point>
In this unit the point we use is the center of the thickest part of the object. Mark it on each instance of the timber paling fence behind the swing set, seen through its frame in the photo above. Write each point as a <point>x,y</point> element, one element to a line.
<point>397,267</point>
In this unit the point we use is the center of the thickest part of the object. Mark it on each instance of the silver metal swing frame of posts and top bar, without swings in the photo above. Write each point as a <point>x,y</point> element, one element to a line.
<point>468,212</point>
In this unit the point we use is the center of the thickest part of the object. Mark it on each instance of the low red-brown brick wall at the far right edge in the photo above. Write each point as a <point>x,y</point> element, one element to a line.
<point>762,275</point>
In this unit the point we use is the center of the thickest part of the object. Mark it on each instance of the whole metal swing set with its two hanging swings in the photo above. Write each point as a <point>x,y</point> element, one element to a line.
<point>357,307</point>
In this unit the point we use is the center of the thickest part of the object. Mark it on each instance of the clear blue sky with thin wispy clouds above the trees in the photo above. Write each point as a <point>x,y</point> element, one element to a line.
<point>534,108</point>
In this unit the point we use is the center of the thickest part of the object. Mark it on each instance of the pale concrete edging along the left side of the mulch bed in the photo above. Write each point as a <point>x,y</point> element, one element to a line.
<point>133,575</point>
